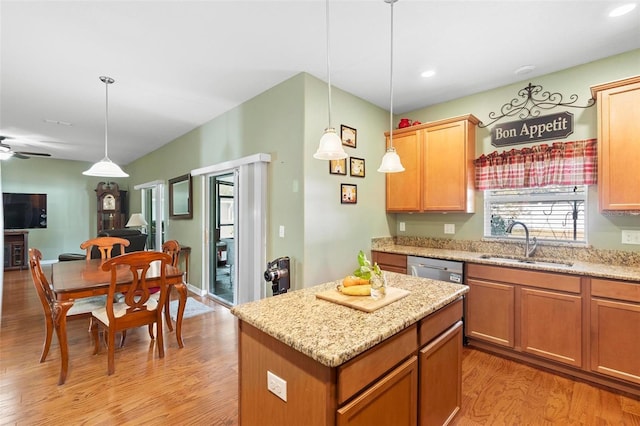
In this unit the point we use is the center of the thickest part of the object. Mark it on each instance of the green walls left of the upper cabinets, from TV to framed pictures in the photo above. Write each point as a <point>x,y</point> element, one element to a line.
<point>322,236</point>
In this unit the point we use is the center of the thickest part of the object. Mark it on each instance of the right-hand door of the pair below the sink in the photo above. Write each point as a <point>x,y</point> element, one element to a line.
<point>551,325</point>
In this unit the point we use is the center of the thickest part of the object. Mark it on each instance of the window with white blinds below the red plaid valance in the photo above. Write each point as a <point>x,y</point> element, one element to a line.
<point>552,213</point>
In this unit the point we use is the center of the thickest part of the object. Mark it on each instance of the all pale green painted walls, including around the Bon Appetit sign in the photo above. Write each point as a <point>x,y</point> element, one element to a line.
<point>322,236</point>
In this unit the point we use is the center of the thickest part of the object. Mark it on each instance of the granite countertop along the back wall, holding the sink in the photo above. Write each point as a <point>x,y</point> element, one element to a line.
<point>599,270</point>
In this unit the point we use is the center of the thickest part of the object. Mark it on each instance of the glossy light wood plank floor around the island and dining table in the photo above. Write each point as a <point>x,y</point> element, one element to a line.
<point>197,385</point>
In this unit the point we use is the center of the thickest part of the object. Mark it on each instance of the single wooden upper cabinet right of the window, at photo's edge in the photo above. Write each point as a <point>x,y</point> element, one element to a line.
<point>618,144</point>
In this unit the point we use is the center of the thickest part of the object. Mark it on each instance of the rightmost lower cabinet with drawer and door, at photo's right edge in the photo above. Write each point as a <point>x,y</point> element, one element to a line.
<point>615,329</point>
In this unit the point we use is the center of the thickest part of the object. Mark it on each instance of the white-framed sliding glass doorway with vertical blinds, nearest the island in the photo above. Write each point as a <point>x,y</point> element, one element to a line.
<point>234,207</point>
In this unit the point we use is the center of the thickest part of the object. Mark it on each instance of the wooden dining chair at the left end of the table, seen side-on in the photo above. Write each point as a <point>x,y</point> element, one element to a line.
<point>81,307</point>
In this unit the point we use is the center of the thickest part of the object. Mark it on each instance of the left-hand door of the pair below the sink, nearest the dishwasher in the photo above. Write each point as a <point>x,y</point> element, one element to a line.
<point>490,312</point>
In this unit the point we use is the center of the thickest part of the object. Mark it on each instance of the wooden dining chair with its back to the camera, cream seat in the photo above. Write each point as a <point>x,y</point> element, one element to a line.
<point>138,308</point>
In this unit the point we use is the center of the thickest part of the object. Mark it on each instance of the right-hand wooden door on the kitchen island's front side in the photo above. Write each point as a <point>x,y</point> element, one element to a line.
<point>441,378</point>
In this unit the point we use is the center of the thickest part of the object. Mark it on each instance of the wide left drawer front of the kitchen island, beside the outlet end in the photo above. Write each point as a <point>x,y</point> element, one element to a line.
<point>364,369</point>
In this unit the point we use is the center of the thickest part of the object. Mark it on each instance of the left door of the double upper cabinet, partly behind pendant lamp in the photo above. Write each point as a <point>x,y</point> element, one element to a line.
<point>403,189</point>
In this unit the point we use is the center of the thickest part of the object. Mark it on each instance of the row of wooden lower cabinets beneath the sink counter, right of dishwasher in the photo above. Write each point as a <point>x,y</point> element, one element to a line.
<point>585,327</point>
